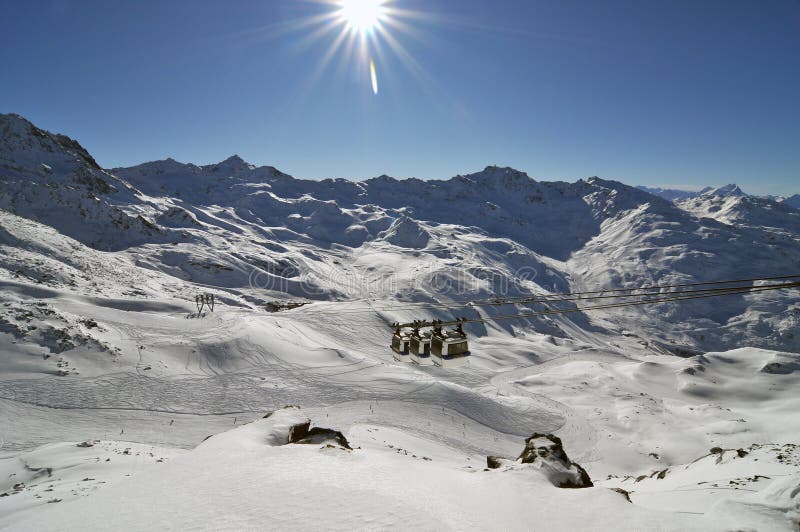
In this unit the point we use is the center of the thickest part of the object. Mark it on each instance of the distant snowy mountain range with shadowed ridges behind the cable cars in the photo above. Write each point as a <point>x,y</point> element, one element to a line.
<point>164,226</point>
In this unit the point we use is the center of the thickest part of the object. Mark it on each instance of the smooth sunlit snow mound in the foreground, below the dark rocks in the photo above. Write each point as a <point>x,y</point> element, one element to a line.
<point>262,482</point>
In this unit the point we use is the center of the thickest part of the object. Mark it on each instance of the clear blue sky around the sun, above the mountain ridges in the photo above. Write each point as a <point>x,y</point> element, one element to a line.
<point>676,92</point>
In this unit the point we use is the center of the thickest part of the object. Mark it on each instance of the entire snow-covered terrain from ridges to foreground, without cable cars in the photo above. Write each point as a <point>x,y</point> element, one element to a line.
<point>110,380</point>
